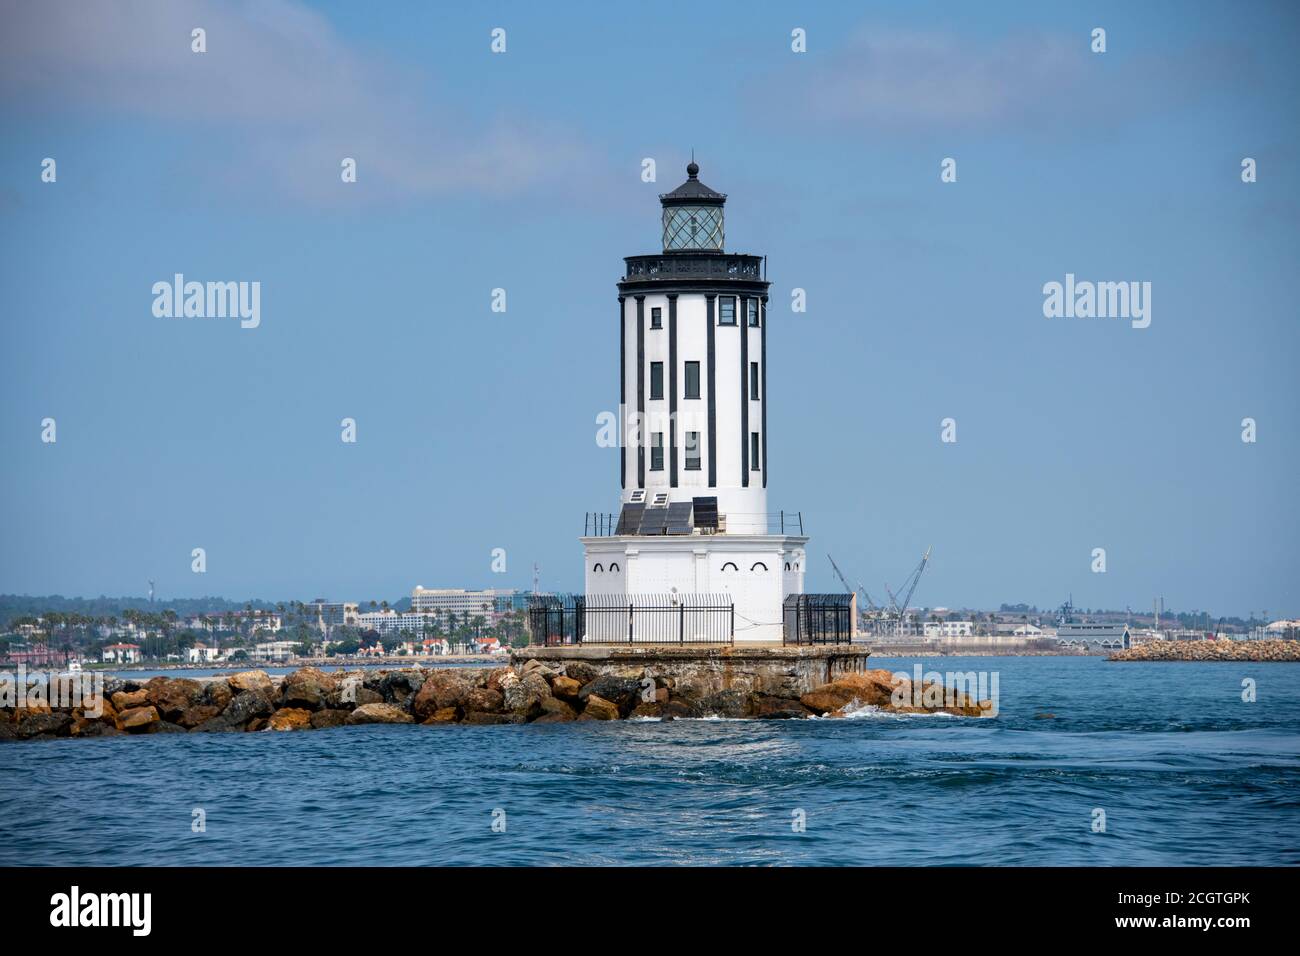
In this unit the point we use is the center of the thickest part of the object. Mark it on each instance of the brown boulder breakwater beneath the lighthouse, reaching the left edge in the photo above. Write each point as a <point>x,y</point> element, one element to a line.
<point>531,691</point>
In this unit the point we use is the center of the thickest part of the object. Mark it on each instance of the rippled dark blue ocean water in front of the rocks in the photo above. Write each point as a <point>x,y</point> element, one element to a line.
<point>1185,772</point>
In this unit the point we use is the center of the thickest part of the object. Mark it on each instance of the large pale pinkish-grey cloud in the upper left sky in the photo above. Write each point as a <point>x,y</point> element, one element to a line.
<point>280,97</point>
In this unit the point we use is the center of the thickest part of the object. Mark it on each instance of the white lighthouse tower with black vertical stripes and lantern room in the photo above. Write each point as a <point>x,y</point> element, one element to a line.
<point>695,525</point>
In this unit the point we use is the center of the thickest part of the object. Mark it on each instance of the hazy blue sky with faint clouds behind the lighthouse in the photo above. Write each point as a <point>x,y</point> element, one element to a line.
<point>523,171</point>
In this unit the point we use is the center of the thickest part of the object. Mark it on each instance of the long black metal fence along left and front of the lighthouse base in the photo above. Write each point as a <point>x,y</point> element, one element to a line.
<point>557,620</point>
